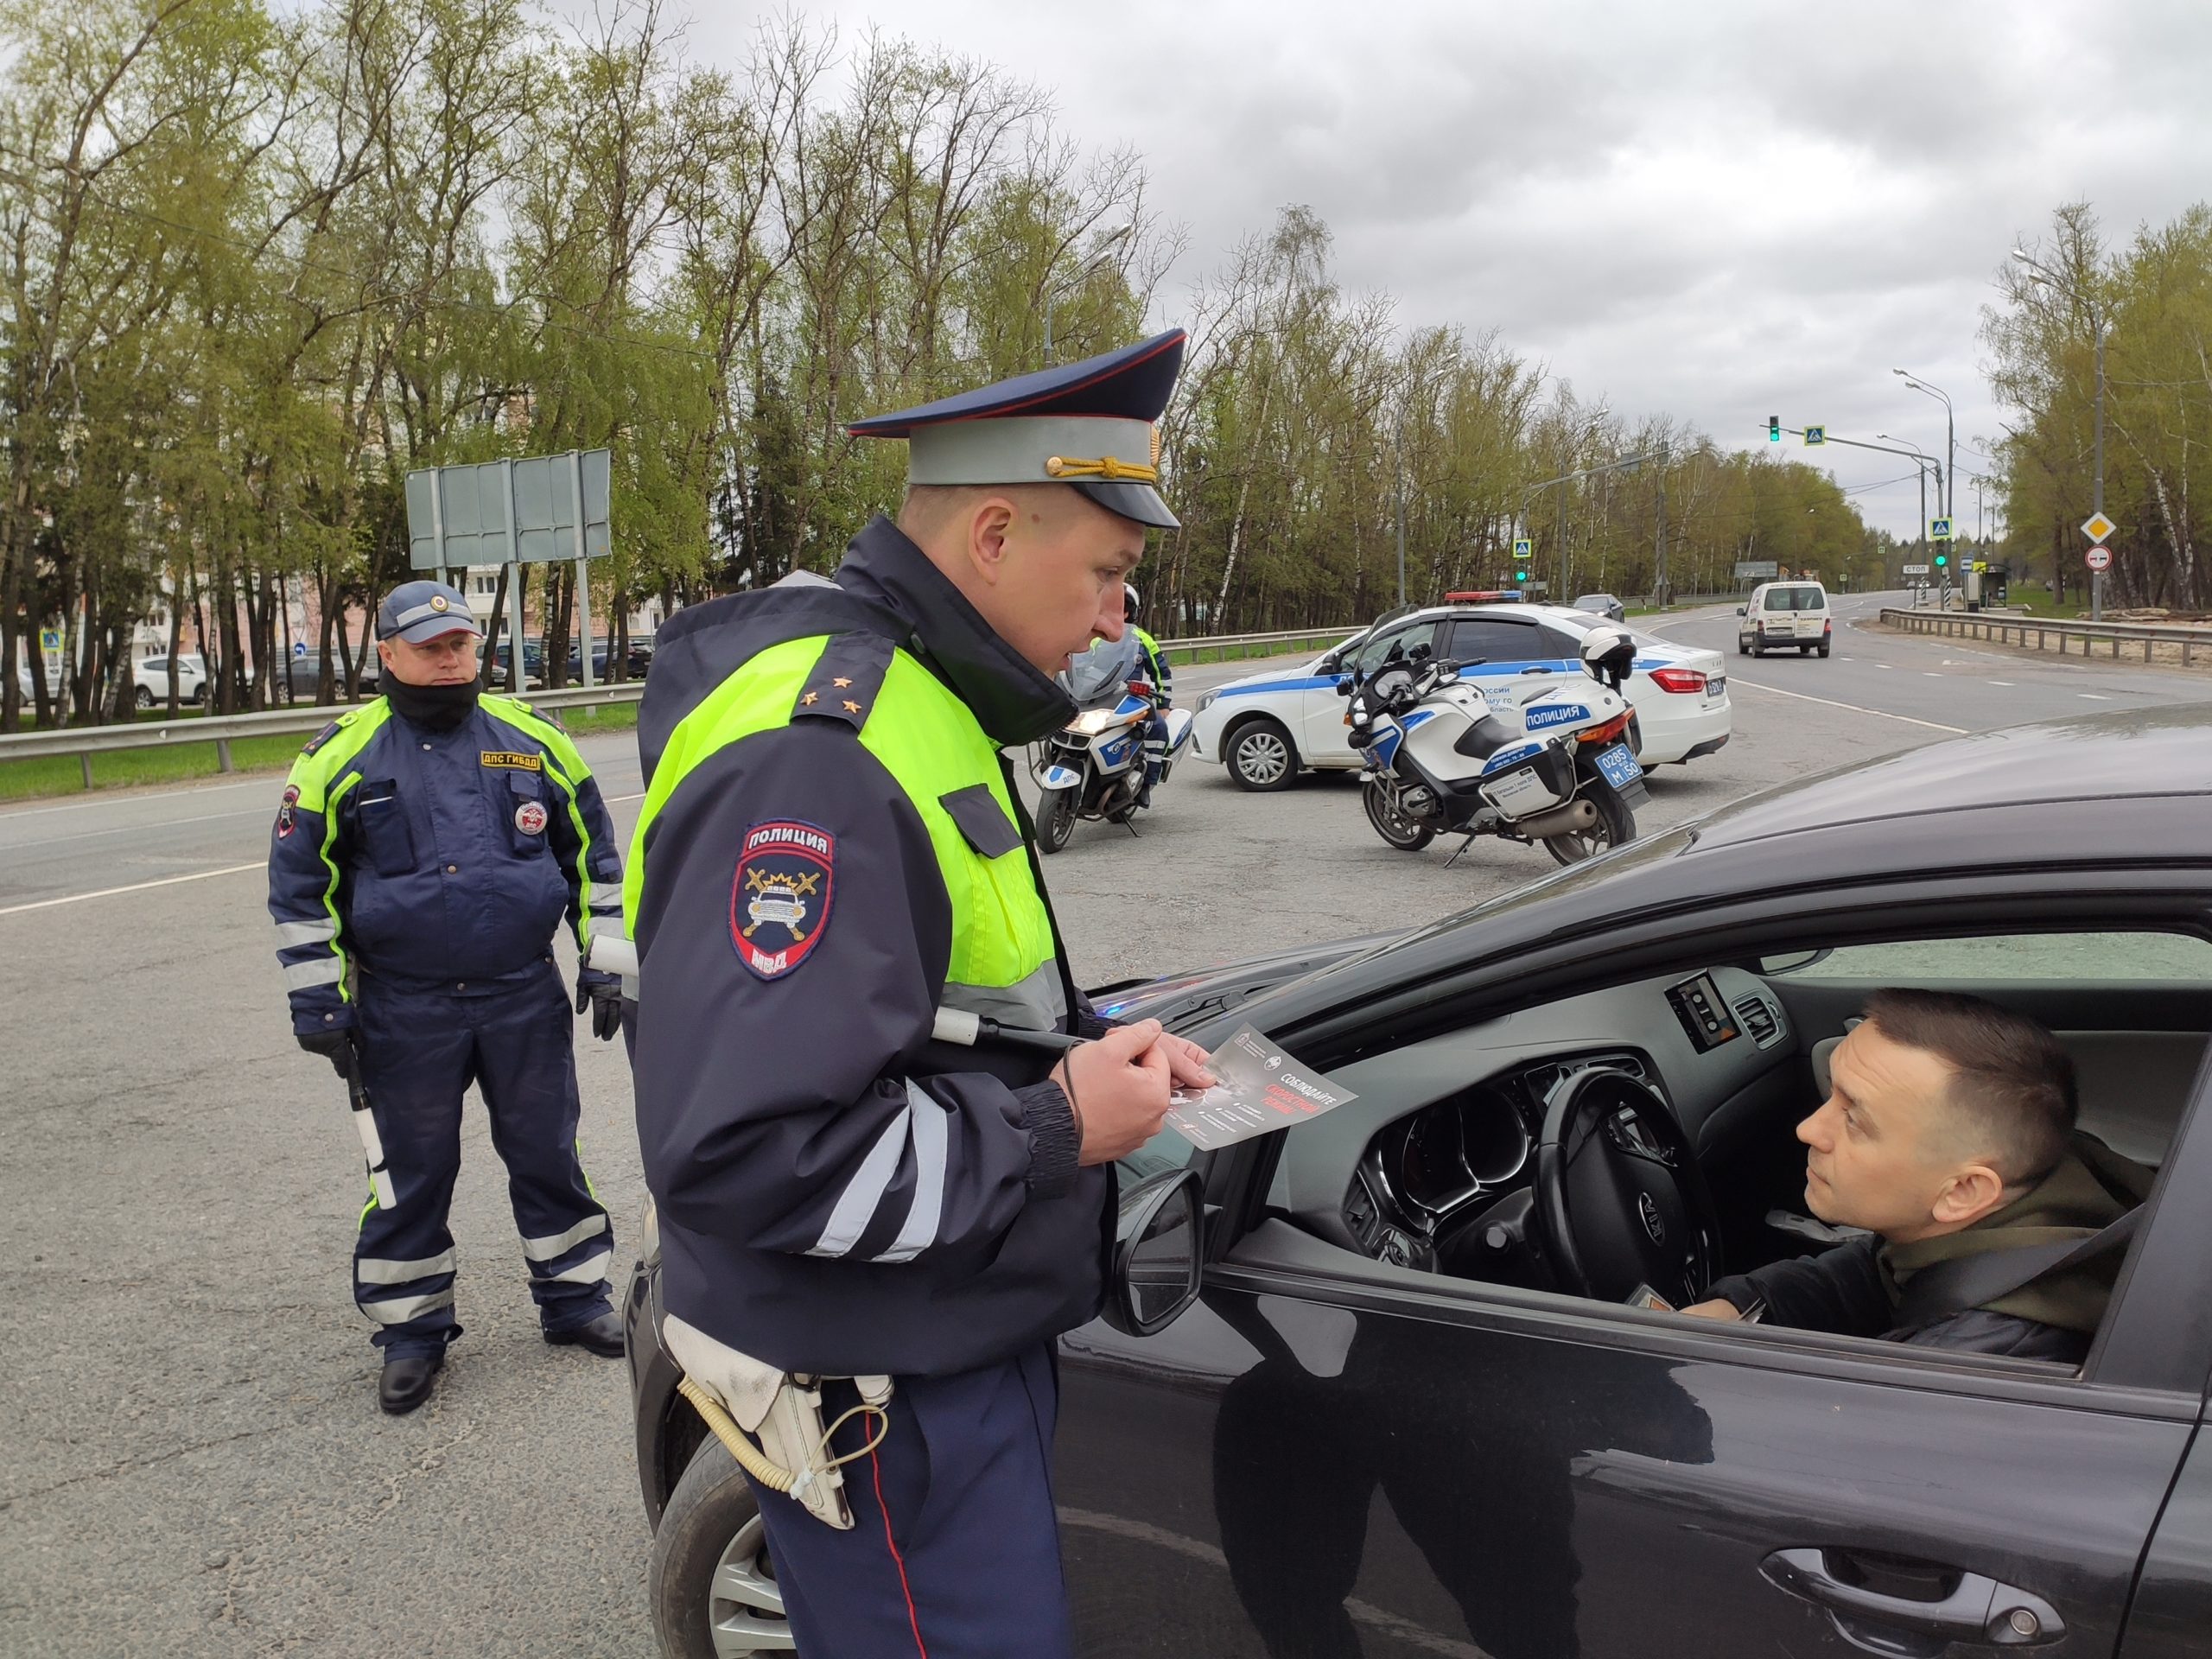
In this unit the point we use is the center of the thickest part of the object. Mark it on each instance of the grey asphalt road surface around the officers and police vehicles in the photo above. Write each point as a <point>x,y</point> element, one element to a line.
<point>196,1463</point>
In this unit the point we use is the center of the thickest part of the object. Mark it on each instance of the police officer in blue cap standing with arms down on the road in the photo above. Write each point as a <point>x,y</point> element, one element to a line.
<point>424,855</point>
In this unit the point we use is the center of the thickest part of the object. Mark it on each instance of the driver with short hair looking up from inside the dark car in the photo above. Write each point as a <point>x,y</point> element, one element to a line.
<point>1950,1131</point>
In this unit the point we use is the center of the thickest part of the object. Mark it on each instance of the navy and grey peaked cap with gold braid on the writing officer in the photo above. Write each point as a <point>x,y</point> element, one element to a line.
<point>1085,424</point>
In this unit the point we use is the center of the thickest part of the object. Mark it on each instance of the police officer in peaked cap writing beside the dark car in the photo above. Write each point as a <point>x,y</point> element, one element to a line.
<point>866,1224</point>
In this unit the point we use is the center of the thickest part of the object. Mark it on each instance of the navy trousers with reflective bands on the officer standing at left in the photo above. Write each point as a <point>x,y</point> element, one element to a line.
<point>419,1054</point>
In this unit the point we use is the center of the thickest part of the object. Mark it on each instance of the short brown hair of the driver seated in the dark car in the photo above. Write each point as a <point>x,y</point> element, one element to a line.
<point>2012,1085</point>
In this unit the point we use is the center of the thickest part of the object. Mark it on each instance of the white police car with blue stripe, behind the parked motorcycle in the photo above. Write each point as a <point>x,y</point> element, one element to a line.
<point>1271,727</point>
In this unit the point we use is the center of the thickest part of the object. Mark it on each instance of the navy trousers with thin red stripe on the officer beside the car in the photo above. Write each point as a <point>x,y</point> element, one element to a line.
<point>954,1552</point>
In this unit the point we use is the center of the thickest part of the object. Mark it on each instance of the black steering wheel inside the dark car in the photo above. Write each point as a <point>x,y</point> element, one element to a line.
<point>1618,1196</point>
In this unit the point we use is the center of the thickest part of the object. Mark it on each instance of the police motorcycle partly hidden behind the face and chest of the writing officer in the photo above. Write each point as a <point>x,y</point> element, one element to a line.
<point>1094,766</point>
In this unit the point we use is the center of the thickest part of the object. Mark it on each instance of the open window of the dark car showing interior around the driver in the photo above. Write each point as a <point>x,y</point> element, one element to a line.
<point>1437,1167</point>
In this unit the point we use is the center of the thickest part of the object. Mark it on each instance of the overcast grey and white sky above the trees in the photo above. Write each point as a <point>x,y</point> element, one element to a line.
<point>1713,209</point>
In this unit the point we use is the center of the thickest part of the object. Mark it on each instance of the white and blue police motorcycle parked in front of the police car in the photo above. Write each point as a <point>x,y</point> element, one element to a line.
<point>1441,758</point>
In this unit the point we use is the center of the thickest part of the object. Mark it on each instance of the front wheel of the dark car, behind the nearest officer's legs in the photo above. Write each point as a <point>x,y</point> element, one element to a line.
<point>709,1580</point>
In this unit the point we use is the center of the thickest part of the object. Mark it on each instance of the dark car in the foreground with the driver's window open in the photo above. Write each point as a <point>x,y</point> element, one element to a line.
<point>1406,1408</point>
